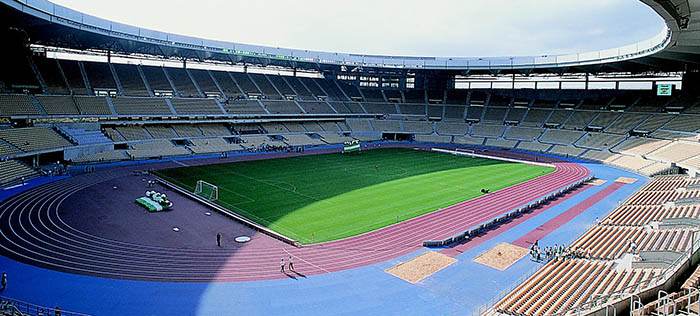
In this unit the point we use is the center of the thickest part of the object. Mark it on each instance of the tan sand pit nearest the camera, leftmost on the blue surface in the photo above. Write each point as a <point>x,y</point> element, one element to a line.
<point>421,267</point>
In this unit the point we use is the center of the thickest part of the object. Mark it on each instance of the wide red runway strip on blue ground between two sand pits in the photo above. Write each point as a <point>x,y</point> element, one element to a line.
<point>545,229</point>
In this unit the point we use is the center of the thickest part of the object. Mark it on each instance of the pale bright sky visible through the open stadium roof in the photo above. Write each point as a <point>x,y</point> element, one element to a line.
<point>464,28</point>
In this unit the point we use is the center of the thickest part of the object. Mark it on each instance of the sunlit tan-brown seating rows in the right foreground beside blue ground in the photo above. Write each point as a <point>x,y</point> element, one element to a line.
<point>603,268</point>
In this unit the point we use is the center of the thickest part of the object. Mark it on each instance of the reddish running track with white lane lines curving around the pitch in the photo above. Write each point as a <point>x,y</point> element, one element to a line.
<point>33,232</point>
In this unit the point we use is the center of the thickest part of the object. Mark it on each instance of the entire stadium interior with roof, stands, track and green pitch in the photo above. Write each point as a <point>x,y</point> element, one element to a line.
<point>144,172</point>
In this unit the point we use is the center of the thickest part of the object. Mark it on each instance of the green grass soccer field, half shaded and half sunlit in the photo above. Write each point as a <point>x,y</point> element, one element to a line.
<point>326,197</point>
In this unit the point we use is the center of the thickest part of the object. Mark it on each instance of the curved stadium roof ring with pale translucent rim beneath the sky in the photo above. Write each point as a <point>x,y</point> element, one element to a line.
<point>673,49</point>
